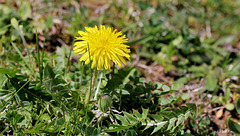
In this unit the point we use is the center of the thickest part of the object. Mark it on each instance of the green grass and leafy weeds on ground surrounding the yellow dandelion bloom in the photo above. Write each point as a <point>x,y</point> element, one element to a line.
<point>43,86</point>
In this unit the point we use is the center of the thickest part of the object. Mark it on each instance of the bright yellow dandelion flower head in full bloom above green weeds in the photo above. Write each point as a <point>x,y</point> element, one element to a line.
<point>105,45</point>
